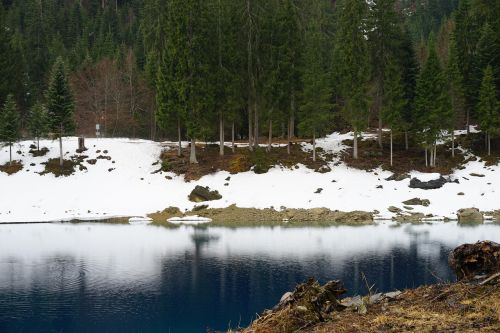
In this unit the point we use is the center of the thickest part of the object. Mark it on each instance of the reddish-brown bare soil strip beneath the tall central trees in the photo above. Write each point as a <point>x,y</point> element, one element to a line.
<point>241,160</point>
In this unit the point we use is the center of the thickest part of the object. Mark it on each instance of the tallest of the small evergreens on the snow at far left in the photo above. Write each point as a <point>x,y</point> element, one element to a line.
<point>60,105</point>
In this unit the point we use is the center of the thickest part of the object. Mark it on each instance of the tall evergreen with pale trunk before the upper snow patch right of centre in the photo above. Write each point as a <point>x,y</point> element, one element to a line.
<point>352,64</point>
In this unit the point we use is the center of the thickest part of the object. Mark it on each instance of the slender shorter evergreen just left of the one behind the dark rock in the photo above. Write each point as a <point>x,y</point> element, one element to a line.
<point>394,101</point>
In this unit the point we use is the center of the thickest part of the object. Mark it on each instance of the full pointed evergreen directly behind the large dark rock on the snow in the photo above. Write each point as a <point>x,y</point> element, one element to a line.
<point>431,103</point>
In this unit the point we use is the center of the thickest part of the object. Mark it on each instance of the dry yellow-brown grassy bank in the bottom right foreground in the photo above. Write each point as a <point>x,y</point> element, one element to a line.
<point>456,307</point>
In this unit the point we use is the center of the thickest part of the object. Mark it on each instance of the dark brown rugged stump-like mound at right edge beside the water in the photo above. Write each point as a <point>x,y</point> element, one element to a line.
<point>469,260</point>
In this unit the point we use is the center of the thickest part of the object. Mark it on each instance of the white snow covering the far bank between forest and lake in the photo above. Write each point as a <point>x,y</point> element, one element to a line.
<point>132,189</point>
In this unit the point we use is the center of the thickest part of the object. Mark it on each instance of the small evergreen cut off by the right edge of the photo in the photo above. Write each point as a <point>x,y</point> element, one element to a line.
<point>488,108</point>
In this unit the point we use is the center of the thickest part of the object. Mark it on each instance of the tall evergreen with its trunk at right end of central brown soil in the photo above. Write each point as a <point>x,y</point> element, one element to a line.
<point>316,107</point>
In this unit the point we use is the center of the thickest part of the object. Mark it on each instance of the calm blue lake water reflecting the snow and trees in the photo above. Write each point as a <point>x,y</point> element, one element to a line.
<point>123,278</point>
